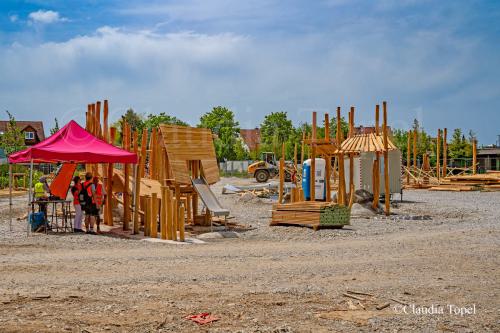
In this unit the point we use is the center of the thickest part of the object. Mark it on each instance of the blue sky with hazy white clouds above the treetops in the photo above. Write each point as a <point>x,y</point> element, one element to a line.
<point>435,61</point>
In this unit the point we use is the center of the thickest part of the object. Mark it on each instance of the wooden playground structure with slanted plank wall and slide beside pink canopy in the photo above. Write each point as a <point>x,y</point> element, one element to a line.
<point>161,194</point>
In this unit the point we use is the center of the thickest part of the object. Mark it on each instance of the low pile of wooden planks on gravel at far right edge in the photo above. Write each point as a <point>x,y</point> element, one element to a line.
<point>487,182</point>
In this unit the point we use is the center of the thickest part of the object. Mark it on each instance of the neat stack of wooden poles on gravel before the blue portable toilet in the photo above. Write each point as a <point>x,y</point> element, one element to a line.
<point>311,213</point>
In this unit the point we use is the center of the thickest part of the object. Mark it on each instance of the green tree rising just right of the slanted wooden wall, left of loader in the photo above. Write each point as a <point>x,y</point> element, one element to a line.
<point>221,122</point>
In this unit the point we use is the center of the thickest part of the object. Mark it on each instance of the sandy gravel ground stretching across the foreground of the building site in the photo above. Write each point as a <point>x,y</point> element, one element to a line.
<point>439,252</point>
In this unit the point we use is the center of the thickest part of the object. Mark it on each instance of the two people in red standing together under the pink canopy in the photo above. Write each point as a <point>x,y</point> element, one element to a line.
<point>88,199</point>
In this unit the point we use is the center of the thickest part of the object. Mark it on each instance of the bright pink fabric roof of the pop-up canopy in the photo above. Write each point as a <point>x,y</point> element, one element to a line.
<point>73,144</point>
